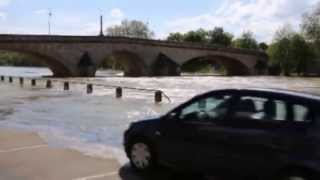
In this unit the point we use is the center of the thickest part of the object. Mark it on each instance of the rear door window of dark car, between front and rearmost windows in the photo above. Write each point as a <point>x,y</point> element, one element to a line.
<point>259,108</point>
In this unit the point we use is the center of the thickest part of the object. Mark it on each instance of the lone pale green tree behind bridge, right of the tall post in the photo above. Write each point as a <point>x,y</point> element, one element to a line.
<point>133,29</point>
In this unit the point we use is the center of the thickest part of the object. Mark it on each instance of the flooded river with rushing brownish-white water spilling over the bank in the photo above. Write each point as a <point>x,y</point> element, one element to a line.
<point>94,124</point>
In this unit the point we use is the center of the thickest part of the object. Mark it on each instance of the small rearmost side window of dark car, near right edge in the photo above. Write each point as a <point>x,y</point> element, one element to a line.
<point>301,113</point>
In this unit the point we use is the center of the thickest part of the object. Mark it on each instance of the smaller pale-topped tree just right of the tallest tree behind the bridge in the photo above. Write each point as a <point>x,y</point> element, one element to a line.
<point>246,41</point>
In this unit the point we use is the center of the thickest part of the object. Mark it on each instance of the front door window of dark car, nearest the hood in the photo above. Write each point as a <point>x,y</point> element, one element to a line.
<point>206,109</point>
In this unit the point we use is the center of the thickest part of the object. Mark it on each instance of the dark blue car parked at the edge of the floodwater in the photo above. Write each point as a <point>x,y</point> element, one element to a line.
<point>267,134</point>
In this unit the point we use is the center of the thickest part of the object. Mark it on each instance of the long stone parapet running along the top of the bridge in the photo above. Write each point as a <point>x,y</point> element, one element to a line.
<point>6,38</point>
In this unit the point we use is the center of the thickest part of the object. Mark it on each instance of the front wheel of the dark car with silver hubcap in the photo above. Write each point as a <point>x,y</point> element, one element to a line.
<point>141,155</point>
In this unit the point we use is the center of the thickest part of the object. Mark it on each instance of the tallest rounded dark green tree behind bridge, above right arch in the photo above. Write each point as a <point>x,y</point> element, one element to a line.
<point>218,36</point>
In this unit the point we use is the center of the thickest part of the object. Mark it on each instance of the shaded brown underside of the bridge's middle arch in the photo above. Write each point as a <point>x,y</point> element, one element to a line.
<point>131,63</point>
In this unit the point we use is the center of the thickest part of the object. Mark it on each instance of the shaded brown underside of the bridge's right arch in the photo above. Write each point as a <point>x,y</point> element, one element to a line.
<point>233,67</point>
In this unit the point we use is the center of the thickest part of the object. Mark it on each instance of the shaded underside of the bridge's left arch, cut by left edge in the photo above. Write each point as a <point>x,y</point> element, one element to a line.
<point>58,69</point>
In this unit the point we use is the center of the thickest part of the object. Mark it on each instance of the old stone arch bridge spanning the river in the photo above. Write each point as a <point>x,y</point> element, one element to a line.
<point>80,56</point>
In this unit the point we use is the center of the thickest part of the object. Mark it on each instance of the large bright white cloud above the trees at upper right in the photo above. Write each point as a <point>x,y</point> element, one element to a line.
<point>263,17</point>
